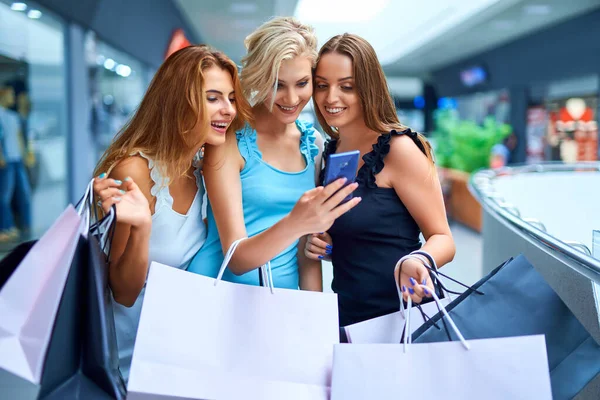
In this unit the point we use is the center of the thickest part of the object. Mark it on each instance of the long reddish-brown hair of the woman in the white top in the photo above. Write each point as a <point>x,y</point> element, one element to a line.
<point>172,107</point>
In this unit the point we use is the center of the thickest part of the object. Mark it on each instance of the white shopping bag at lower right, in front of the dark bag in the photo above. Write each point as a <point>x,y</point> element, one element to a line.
<point>491,369</point>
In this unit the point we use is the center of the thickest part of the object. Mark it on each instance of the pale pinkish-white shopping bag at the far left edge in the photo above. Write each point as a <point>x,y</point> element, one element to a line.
<point>30,299</point>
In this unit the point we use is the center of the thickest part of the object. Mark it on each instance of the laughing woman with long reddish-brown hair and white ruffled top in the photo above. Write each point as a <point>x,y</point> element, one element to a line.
<point>149,172</point>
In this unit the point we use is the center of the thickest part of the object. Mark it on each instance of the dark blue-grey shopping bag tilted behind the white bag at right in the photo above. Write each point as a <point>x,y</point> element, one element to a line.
<point>517,301</point>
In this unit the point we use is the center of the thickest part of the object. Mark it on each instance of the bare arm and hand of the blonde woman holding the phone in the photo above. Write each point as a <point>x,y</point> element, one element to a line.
<point>314,211</point>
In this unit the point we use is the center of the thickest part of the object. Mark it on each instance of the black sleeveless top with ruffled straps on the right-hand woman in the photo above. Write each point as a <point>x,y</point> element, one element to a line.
<point>369,240</point>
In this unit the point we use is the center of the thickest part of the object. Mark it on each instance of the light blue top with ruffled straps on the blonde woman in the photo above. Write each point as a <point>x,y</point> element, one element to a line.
<point>268,195</point>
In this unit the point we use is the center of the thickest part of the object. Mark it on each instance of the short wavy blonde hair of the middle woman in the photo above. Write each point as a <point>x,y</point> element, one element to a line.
<point>279,39</point>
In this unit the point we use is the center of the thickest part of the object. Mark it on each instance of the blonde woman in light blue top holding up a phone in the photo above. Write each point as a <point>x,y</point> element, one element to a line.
<point>261,184</point>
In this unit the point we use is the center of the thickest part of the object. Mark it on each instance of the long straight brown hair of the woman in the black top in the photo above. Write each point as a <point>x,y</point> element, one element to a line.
<point>378,107</point>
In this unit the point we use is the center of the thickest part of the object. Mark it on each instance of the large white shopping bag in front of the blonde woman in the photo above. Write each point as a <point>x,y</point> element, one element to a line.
<point>201,340</point>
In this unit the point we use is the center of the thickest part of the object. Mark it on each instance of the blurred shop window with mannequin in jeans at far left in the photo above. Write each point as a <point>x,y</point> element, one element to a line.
<point>33,122</point>
